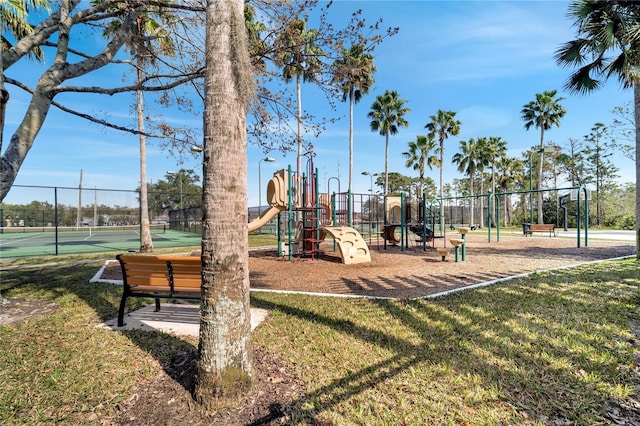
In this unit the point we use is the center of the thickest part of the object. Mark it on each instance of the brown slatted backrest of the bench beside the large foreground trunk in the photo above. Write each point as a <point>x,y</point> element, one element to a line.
<point>155,270</point>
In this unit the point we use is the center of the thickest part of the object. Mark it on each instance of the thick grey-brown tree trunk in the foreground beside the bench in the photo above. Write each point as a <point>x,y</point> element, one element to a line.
<point>224,366</point>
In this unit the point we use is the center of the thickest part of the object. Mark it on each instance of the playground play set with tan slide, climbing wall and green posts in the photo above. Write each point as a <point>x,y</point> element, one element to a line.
<point>354,221</point>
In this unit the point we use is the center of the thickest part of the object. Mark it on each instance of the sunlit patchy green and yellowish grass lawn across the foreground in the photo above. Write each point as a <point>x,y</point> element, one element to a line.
<point>551,348</point>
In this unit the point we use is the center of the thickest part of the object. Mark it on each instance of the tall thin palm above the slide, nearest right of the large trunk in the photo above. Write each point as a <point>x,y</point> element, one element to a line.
<point>299,59</point>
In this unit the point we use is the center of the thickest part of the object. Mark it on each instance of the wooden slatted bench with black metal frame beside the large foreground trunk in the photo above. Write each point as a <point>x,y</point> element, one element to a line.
<point>159,277</point>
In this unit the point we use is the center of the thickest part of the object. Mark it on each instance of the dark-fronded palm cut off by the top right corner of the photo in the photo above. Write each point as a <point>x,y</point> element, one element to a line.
<point>606,45</point>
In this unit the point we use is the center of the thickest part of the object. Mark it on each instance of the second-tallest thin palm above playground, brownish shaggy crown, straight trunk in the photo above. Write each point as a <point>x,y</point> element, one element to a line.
<point>354,73</point>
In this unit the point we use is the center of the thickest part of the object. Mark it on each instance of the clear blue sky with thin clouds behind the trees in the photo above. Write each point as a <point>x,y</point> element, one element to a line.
<point>483,59</point>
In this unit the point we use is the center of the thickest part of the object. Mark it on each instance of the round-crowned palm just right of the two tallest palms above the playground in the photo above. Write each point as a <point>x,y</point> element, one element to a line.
<point>387,114</point>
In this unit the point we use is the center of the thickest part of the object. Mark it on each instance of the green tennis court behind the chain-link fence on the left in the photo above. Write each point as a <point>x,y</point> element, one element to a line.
<point>51,241</point>
